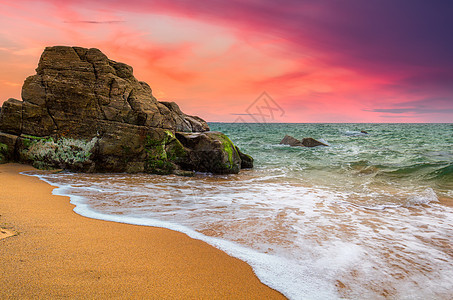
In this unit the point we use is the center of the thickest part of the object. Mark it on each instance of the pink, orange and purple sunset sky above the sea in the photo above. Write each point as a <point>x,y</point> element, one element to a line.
<point>255,60</point>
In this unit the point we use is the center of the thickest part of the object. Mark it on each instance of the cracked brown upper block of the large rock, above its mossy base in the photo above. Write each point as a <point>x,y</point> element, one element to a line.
<point>74,84</point>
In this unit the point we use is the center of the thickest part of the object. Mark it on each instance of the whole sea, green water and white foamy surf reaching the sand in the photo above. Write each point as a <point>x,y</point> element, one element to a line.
<point>369,216</point>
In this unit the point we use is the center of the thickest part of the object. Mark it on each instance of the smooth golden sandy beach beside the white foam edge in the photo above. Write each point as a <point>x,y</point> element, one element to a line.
<point>59,254</point>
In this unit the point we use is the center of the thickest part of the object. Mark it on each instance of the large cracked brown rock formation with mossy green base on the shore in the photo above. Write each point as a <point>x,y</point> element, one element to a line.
<point>85,112</point>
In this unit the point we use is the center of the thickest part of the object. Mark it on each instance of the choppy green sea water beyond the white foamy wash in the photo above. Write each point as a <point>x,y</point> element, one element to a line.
<point>389,156</point>
